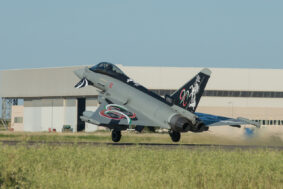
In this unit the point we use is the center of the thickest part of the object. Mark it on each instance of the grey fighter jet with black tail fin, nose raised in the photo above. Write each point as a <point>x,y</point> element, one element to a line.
<point>125,103</point>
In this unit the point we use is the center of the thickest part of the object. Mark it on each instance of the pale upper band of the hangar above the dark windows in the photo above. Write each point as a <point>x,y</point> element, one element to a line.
<point>59,82</point>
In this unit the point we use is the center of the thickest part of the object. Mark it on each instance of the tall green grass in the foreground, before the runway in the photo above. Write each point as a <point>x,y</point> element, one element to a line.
<point>137,167</point>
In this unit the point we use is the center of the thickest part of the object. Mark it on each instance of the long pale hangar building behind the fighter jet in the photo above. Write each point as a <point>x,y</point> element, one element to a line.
<point>51,101</point>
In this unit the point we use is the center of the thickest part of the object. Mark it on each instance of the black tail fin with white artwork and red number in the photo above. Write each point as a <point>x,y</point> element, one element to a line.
<point>188,96</point>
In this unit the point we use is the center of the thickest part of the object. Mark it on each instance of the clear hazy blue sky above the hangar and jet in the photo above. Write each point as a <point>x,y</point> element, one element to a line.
<point>205,33</point>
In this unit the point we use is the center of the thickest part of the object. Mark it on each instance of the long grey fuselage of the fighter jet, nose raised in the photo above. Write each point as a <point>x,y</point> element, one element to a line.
<point>138,98</point>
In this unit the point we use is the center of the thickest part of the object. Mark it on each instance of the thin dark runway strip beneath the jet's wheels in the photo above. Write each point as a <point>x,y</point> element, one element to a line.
<point>147,145</point>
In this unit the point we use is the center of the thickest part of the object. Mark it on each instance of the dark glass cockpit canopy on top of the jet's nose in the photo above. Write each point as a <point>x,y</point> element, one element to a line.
<point>108,69</point>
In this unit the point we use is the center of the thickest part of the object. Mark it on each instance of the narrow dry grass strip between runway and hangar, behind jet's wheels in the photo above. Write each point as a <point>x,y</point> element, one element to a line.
<point>187,138</point>
